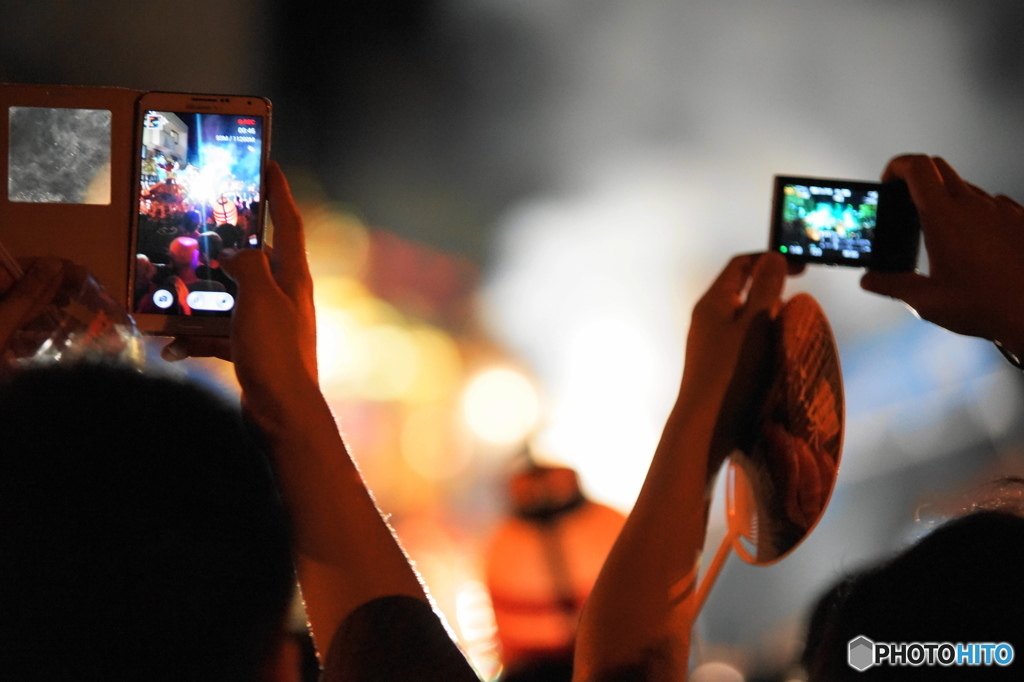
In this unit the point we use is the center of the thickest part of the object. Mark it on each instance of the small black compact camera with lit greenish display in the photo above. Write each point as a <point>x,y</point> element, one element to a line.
<point>845,223</point>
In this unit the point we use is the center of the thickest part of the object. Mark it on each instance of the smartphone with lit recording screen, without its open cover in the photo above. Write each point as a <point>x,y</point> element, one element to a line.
<point>200,188</point>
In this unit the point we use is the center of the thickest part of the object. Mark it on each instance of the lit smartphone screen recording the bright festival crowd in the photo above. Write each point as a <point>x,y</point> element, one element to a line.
<point>199,194</point>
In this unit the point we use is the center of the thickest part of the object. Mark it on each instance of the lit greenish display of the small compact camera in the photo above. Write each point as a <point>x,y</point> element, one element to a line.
<point>827,222</point>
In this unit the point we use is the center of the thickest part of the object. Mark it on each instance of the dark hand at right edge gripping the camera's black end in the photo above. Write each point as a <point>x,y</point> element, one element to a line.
<point>975,243</point>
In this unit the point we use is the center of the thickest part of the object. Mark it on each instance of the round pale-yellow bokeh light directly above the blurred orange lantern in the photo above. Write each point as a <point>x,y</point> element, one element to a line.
<point>501,406</point>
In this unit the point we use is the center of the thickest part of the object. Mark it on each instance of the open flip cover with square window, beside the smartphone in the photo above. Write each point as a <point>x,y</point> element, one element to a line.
<point>54,138</point>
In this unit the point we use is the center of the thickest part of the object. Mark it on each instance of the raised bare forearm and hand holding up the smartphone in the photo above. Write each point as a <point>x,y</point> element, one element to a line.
<point>347,555</point>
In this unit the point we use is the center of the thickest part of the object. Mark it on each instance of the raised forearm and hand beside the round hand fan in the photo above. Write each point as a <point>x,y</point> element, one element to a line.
<point>638,617</point>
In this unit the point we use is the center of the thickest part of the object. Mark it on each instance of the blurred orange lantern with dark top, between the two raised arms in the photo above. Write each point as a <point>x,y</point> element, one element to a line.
<point>543,563</point>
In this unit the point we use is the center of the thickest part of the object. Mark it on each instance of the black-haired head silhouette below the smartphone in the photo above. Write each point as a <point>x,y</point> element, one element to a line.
<point>142,536</point>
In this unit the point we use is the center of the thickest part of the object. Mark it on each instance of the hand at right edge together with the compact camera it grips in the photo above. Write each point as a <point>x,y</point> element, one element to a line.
<point>973,241</point>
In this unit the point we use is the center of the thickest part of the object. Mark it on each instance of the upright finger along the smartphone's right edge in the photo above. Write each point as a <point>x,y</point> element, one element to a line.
<point>289,239</point>
